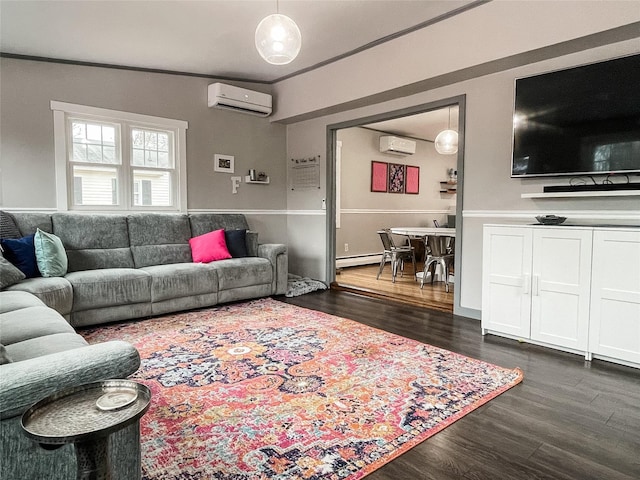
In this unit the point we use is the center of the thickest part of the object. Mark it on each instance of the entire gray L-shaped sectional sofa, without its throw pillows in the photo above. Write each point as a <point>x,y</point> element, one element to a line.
<point>119,267</point>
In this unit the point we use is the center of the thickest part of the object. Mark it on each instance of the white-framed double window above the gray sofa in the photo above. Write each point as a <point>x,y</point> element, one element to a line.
<point>109,160</point>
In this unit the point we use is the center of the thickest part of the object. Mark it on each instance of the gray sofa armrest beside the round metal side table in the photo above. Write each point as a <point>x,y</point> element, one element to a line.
<point>24,383</point>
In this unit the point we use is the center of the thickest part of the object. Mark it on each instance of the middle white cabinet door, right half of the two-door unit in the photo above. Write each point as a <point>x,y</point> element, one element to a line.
<point>560,286</point>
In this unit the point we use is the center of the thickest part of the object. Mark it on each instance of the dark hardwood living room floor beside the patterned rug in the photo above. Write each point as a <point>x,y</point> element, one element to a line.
<point>568,419</point>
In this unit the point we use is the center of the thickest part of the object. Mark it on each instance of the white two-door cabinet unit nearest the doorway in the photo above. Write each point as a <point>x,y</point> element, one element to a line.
<point>536,284</point>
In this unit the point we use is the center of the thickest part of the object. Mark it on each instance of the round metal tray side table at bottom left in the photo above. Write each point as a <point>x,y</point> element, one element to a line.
<point>86,416</point>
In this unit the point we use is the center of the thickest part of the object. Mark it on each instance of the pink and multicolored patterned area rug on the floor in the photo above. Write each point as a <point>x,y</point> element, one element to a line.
<point>266,390</point>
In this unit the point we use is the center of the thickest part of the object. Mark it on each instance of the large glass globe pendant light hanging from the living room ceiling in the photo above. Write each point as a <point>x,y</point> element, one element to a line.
<point>278,39</point>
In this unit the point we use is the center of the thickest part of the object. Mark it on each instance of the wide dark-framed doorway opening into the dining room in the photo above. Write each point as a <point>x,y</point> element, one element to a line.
<point>357,209</point>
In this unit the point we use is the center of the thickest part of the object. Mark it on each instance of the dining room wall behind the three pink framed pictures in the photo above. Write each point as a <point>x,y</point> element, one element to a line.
<point>364,211</point>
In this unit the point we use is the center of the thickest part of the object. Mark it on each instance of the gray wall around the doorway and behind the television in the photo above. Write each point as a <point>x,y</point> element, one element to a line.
<point>489,192</point>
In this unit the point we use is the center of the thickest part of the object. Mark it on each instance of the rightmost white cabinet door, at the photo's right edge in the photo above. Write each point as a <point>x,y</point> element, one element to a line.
<point>615,301</point>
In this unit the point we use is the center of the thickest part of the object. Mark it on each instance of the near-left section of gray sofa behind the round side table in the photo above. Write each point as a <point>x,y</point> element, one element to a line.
<point>46,355</point>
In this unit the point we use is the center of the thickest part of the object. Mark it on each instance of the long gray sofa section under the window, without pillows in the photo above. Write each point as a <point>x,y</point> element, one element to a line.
<point>132,266</point>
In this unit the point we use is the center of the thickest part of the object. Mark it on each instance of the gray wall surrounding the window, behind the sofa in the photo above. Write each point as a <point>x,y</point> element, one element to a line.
<point>26,143</point>
